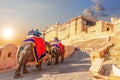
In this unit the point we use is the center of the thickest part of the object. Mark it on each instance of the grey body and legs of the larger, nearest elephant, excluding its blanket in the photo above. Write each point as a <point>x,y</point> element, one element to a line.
<point>25,54</point>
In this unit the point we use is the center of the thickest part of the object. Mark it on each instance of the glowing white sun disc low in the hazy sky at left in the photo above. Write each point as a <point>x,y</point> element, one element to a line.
<point>7,33</point>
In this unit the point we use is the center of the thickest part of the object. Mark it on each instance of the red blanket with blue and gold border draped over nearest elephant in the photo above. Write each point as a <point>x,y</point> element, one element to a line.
<point>39,47</point>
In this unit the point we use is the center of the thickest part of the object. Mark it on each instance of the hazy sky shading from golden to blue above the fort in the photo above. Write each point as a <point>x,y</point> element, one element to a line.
<point>23,15</point>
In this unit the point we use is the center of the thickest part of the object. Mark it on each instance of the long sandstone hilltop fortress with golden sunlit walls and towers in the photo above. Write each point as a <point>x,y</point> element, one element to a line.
<point>81,28</point>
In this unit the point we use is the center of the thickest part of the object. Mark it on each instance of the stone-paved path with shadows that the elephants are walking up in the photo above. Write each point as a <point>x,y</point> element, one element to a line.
<point>74,68</point>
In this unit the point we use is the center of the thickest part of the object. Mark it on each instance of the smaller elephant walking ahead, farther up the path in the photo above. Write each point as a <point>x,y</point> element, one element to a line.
<point>55,53</point>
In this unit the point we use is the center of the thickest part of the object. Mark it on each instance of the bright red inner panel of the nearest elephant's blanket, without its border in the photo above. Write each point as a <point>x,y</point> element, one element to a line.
<point>40,46</point>
